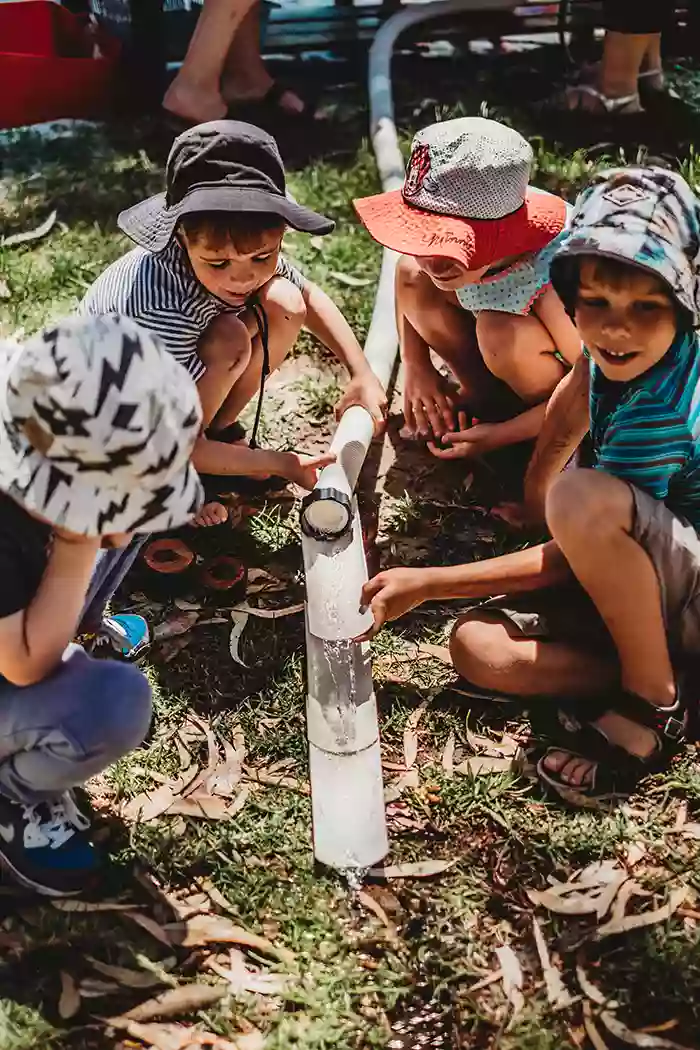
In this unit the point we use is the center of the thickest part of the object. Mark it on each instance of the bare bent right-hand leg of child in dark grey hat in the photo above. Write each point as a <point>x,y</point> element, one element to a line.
<point>286,312</point>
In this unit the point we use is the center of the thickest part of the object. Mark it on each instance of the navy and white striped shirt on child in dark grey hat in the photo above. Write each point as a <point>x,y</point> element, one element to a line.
<point>162,295</point>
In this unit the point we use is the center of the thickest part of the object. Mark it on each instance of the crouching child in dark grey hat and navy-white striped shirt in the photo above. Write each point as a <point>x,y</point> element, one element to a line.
<point>208,278</point>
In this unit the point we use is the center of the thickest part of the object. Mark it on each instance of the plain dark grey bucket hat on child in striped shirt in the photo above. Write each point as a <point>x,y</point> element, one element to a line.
<point>220,166</point>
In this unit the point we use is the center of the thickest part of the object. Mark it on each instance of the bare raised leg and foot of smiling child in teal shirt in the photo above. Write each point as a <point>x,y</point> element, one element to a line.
<point>591,517</point>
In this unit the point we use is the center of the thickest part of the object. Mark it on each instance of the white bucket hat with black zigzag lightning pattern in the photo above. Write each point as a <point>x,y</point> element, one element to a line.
<point>97,428</point>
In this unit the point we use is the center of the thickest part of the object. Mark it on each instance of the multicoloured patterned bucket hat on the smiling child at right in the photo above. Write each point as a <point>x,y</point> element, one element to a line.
<point>647,217</point>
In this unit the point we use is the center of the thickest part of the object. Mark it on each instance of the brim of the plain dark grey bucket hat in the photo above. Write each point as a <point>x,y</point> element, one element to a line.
<point>152,224</point>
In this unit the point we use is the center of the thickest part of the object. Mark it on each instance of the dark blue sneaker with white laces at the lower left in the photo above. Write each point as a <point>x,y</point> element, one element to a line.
<point>47,848</point>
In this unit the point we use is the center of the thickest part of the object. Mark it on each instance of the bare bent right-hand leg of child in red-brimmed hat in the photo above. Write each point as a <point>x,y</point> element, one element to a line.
<point>520,352</point>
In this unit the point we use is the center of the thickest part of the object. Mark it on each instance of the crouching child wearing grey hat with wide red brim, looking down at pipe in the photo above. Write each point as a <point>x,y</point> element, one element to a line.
<point>474,285</point>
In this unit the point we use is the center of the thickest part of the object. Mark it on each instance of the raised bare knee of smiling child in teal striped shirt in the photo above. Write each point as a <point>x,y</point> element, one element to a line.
<point>588,505</point>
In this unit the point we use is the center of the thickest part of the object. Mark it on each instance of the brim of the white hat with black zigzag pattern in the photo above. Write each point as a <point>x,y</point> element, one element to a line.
<point>89,510</point>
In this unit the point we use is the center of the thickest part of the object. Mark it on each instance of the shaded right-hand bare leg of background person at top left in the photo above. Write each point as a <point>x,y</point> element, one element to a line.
<point>246,78</point>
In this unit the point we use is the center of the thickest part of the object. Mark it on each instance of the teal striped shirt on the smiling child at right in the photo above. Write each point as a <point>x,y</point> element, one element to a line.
<point>647,432</point>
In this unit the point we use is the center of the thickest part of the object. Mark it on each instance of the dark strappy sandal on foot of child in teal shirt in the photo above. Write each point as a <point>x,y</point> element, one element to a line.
<point>617,772</point>
